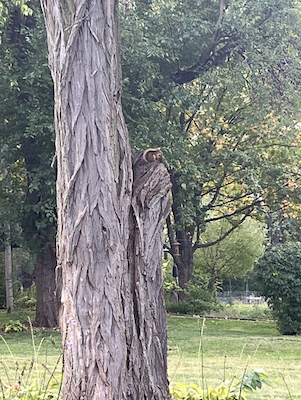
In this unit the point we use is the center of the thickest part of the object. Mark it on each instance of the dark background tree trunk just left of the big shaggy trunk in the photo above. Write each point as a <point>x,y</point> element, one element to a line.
<point>46,313</point>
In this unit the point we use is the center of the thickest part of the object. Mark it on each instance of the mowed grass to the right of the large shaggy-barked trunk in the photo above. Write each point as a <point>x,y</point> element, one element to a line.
<point>206,352</point>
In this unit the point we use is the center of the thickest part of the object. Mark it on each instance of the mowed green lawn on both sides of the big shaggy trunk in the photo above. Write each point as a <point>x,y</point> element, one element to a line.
<point>204,352</point>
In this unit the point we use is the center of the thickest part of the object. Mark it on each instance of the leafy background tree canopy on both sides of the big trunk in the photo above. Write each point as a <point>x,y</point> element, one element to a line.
<point>213,84</point>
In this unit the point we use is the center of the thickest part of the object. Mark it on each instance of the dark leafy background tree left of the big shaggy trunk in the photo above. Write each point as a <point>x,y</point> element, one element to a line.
<point>27,142</point>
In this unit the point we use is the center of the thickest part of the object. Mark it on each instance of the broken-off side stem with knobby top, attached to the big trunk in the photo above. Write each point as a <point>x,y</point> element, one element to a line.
<point>146,331</point>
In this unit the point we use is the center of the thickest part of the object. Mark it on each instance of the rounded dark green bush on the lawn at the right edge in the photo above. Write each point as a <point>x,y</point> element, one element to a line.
<point>278,273</point>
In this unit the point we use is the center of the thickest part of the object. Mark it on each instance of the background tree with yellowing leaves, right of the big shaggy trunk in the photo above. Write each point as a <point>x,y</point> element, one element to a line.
<point>209,83</point>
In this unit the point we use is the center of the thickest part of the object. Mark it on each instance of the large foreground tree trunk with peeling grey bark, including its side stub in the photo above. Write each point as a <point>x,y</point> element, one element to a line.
<point>109,240</point>
